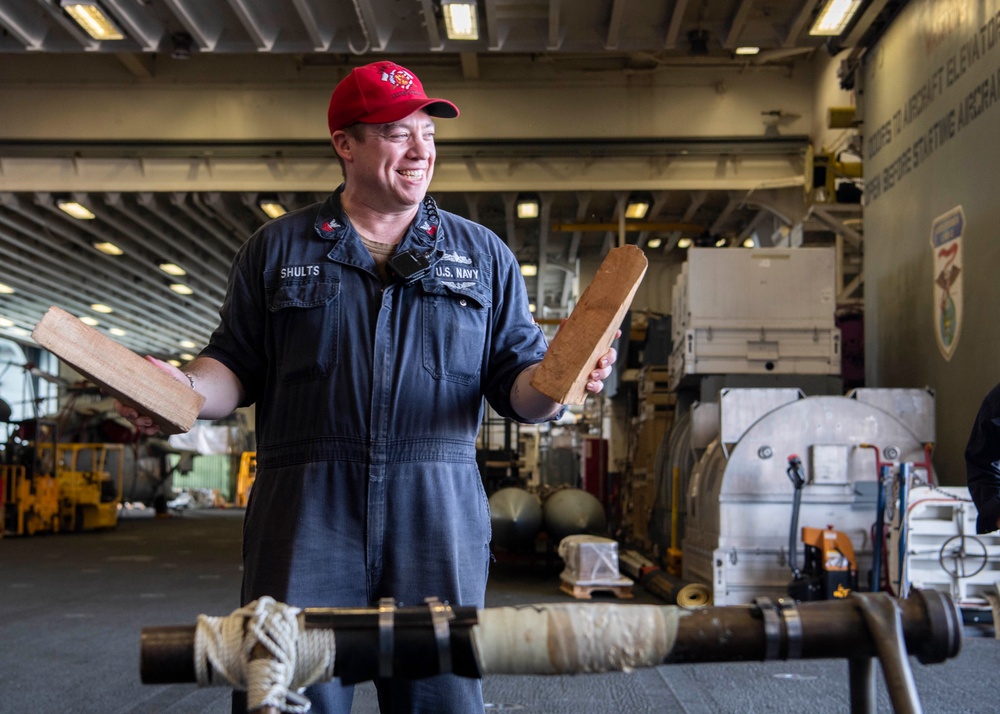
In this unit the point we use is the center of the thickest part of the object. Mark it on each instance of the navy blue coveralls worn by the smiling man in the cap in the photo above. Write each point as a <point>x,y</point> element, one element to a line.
<point>369,399</point>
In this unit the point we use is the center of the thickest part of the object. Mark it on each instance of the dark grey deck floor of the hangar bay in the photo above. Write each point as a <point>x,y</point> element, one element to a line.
<point>72,608</point>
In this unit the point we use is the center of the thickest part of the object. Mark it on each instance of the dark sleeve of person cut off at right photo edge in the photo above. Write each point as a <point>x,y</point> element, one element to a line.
<point>982,462</point>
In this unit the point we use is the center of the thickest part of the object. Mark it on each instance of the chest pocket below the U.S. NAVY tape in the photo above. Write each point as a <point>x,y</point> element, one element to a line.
<point>454,331</point>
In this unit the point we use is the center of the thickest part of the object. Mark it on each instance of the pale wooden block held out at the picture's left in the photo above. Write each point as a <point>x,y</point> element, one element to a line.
<point>119,371</point>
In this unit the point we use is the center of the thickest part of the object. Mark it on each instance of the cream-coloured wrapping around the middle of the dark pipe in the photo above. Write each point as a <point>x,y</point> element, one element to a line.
<point>573,639</point>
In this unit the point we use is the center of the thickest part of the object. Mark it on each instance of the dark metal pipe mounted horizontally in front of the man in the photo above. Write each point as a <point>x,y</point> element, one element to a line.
<point>829,629</point>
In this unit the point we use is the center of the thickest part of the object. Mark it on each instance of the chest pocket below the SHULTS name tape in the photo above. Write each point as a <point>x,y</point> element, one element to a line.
<point>306,325</point>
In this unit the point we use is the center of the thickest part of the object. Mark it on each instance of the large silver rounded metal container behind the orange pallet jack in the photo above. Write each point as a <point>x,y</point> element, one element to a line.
<point>739,503</point>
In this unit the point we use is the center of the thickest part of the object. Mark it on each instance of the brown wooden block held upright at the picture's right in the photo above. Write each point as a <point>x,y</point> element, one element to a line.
<point>588,332</point>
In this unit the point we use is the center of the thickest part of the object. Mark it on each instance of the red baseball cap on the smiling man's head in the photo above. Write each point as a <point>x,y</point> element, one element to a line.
<point>380,93</point>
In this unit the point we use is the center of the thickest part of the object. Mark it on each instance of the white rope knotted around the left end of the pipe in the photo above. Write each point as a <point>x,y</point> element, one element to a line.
<point>226,653</point>
